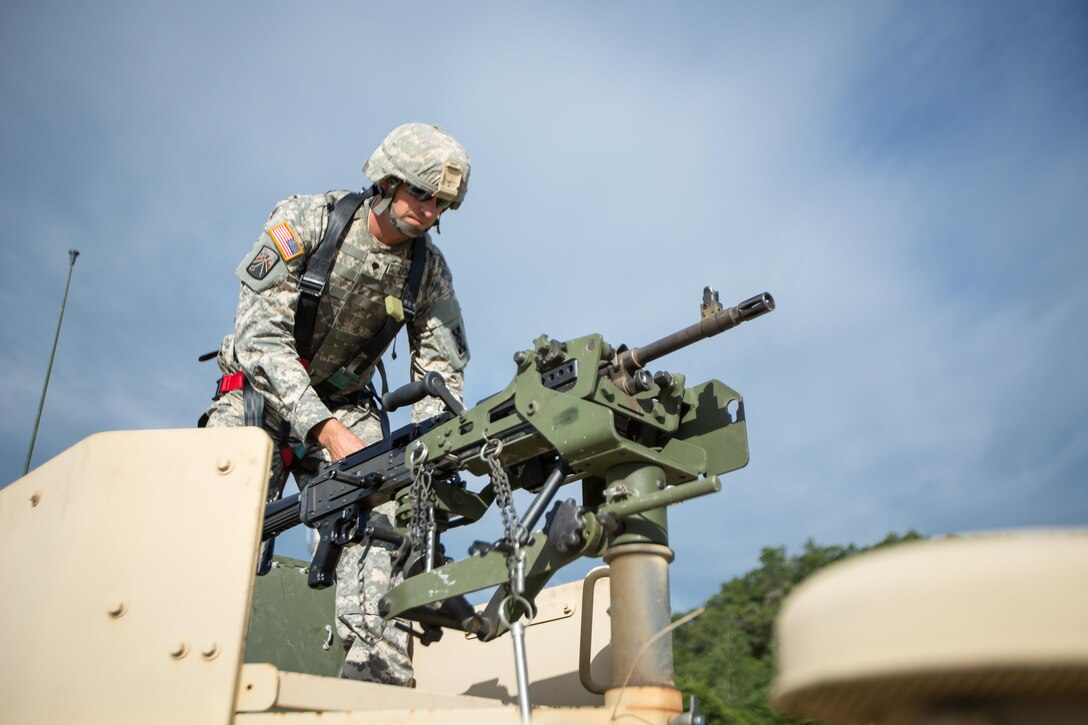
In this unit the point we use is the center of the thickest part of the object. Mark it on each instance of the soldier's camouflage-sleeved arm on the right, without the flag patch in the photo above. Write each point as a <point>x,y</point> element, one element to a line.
<point>438,337</point>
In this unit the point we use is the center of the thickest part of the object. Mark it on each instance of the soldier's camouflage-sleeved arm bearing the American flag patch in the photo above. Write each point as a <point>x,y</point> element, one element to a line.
<point>265,324</point>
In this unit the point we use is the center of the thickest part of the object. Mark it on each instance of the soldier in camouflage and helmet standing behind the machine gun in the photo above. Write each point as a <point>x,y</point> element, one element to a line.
<point>306,343</point>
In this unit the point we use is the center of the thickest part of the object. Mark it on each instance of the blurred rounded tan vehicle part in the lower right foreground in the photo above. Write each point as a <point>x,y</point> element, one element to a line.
<point>976,630</point>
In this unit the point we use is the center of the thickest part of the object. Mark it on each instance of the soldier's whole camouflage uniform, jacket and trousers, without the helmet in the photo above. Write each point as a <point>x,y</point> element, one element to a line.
<point>352,311</point>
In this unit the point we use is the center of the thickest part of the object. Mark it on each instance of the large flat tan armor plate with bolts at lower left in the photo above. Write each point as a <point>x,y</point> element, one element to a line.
<point>128,572</point>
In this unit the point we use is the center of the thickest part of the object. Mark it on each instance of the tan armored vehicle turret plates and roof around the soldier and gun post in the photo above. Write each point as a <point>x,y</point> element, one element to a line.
<point>128,588</point>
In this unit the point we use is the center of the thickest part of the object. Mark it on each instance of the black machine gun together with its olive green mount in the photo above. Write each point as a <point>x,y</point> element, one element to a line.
<point>576,411</point>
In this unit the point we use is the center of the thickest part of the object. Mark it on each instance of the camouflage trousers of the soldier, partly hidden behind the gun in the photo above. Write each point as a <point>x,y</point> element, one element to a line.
<point>377,652</point>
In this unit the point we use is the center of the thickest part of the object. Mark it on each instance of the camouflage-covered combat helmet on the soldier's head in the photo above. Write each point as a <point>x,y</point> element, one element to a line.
<point>425,156</point>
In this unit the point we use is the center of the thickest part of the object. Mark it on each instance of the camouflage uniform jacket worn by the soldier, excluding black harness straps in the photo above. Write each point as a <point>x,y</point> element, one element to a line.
<point>353,310</point>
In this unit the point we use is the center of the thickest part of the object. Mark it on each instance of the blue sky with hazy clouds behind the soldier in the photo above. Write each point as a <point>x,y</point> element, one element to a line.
<point>909,180</point>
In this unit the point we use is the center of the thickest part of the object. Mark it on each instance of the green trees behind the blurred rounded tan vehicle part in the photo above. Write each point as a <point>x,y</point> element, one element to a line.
<point>725,657</point>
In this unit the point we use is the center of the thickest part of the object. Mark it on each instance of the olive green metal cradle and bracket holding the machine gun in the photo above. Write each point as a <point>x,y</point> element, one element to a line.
<point>588,423</point>
